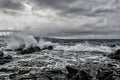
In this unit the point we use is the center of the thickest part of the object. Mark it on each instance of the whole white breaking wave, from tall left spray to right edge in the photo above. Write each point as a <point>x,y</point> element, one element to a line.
<point>20,40</point>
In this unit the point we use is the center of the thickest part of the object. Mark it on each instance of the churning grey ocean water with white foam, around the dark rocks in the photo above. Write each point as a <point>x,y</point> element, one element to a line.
<point>77,52</point>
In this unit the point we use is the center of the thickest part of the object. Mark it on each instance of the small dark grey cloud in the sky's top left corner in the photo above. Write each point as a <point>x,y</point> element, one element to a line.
<point>10,4</point>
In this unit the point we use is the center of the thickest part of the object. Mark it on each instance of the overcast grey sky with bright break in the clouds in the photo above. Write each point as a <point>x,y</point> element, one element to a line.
<point>81,19</point>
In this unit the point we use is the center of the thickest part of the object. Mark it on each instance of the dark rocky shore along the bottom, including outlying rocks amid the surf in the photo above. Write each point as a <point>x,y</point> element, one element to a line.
<point>87,71</point>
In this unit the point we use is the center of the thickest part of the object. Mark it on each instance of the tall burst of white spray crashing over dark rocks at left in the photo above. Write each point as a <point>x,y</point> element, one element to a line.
<point>19,39</point>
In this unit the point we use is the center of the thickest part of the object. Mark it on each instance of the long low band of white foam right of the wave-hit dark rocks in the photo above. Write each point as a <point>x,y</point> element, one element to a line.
<point>85,47</point>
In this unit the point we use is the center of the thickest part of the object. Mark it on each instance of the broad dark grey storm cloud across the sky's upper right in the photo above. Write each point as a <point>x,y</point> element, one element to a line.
<point>85,7</point>
